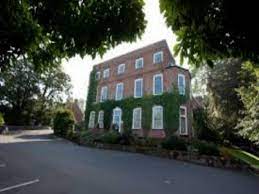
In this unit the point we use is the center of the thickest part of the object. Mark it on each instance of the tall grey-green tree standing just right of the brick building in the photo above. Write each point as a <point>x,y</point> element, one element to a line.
<point>224,103</point>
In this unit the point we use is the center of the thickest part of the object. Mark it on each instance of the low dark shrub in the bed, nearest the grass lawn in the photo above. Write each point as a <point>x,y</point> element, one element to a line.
<point>205,148</point>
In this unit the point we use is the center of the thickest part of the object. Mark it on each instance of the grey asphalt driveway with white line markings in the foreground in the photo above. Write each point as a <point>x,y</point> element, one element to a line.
<point>32,163</point>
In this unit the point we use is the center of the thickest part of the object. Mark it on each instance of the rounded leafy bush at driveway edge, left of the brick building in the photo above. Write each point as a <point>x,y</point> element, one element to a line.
<point>63,122</point>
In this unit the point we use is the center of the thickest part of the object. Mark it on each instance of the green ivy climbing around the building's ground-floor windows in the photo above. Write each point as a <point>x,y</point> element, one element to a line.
<point>170,102</point>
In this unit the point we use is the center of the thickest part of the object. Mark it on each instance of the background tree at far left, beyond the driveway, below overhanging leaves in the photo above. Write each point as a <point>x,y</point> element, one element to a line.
<point>28,95</point>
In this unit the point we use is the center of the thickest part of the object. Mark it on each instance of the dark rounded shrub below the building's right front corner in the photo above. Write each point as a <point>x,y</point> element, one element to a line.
<point>174,143</point>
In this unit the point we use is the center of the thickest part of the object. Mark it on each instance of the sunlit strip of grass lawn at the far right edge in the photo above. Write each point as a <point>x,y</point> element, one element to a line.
<point>248,158</point>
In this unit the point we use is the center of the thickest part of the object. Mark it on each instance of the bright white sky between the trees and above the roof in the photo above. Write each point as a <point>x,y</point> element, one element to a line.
<point>79,69</point>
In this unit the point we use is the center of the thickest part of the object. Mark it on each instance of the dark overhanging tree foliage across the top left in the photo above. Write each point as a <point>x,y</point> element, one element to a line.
<point>47,30</point>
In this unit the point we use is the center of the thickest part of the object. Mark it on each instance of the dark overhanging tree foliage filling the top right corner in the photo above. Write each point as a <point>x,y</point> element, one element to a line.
<point>207,30</point>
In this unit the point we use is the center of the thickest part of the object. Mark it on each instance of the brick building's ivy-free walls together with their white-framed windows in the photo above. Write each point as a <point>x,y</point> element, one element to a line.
<point>150,70</point>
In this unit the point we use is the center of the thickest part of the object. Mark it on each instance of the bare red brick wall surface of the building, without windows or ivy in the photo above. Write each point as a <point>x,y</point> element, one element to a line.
<point>167,68</point>
